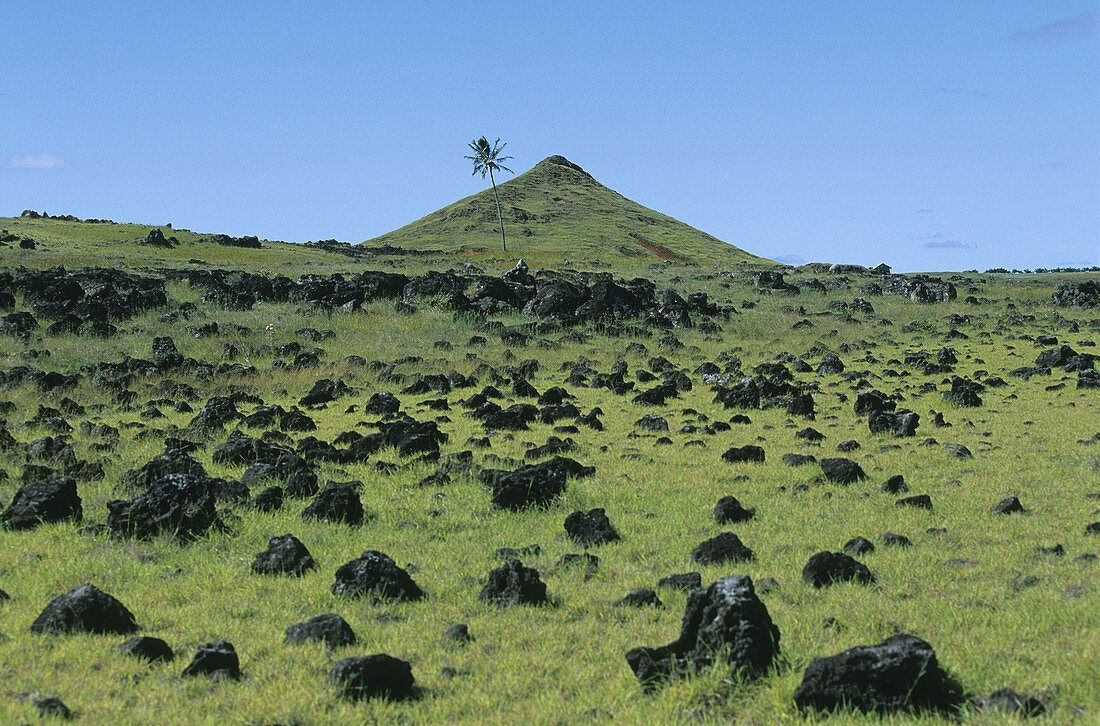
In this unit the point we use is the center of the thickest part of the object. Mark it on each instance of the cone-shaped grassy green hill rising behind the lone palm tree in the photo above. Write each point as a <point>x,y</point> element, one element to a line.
<point>558,208</point>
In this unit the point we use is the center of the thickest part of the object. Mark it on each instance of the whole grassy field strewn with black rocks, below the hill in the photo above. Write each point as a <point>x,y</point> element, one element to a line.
<point>397,490</point>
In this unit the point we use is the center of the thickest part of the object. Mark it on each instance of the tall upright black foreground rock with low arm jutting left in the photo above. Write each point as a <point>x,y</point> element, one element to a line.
<point>725,621</point>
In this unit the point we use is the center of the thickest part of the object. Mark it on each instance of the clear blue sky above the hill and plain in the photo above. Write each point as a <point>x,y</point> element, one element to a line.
<point>934,136</point>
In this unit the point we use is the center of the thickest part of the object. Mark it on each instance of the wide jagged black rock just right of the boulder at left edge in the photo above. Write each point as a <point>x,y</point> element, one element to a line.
<point>178,505</point>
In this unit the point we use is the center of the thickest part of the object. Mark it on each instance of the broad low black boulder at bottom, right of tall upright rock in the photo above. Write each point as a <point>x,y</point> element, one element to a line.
<point>899,675</point>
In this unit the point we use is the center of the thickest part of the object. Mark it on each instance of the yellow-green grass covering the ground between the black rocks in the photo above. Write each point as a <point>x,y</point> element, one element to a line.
<point>558,664</point>
